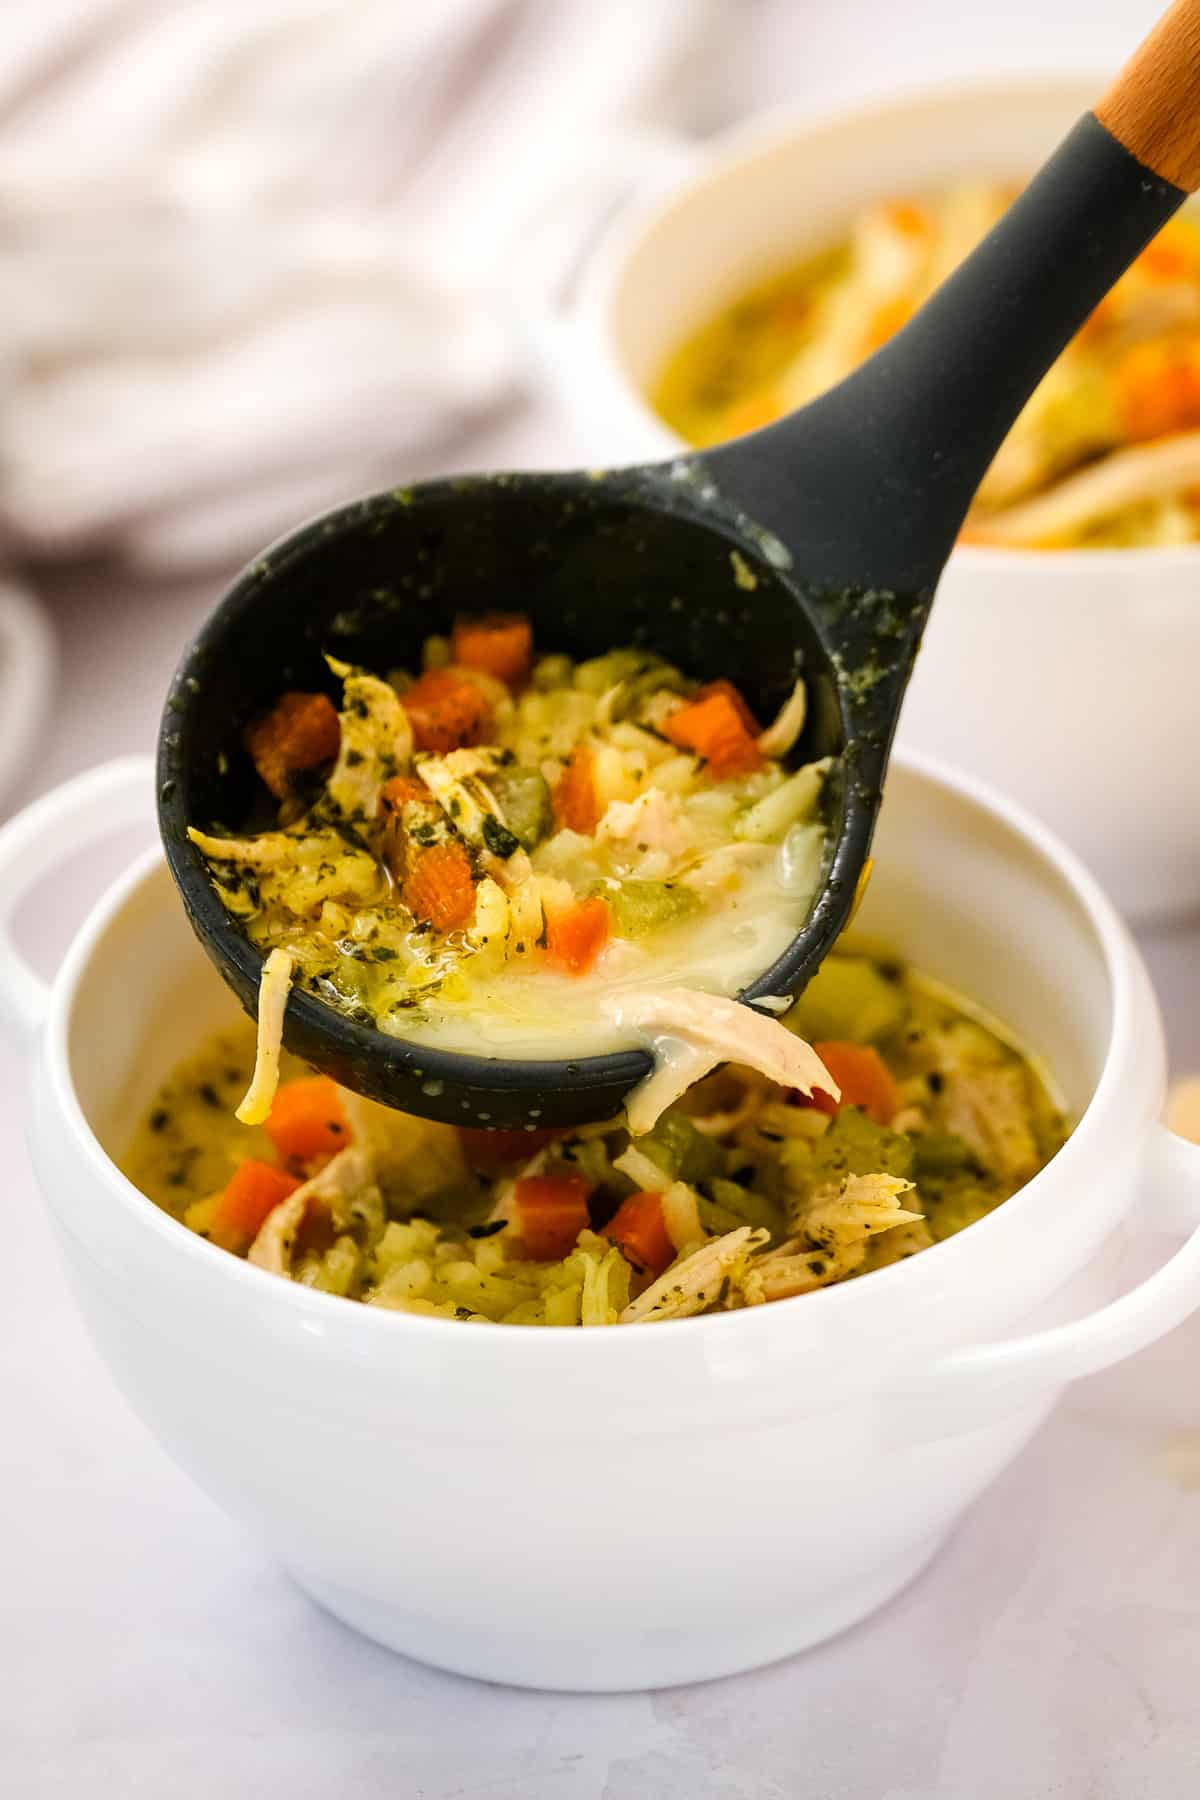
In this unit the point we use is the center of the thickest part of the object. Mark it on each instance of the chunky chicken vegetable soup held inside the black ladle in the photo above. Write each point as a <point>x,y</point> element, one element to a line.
<point>530,858</point>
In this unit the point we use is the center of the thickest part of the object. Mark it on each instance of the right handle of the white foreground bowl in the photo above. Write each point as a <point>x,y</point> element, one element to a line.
<point>994,1378</point>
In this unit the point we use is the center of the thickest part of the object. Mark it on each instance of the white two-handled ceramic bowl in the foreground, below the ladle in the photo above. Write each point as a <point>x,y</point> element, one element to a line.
<point>645,1506</point>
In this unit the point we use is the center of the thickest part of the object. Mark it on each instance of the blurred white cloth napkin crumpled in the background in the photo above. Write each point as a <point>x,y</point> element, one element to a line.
<point>244,244</point>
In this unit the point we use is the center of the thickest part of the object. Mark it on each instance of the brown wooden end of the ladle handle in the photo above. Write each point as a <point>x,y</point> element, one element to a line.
<point>1154,105</point>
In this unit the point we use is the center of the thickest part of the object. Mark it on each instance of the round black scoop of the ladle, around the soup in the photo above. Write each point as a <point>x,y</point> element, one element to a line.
<point>643,557</point>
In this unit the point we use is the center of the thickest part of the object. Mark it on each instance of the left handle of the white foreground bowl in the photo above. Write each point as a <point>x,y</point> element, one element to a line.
<point>37,841</point>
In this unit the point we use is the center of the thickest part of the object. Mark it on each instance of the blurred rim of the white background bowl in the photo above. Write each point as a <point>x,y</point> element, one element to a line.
<point>776,127</point>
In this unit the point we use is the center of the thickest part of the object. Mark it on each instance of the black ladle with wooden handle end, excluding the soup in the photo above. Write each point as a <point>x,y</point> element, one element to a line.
<point>841,519</point>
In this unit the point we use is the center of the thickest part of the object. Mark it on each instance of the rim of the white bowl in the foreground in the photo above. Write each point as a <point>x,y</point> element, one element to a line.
<point>339,1315</point>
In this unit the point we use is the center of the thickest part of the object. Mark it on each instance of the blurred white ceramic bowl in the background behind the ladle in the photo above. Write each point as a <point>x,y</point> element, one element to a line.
<point>1062,678</point>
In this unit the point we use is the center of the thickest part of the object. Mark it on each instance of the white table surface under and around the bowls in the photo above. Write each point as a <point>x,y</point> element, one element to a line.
<point>150,1650</point>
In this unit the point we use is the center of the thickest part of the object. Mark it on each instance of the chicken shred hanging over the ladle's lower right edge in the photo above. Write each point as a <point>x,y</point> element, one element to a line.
<point>694,1032</point>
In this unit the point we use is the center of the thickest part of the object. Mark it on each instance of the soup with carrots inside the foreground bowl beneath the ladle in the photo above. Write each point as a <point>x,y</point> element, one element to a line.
<point>742,1192</point>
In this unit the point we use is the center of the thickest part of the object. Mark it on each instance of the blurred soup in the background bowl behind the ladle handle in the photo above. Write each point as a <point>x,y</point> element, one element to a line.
<point>1107,451</point>
